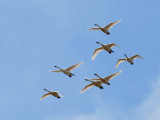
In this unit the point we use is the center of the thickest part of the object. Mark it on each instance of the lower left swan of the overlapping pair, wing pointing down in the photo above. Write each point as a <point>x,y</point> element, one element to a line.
<point>93,83</point>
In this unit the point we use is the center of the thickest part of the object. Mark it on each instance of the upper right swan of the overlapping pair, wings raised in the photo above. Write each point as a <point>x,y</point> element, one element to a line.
<point>106,80</point>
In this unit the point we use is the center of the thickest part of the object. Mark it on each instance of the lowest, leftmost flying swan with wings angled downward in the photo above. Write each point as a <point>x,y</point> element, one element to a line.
<point>54,93</point>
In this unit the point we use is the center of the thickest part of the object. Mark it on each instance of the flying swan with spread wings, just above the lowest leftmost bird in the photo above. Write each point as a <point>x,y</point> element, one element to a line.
<point>68,70</point>
